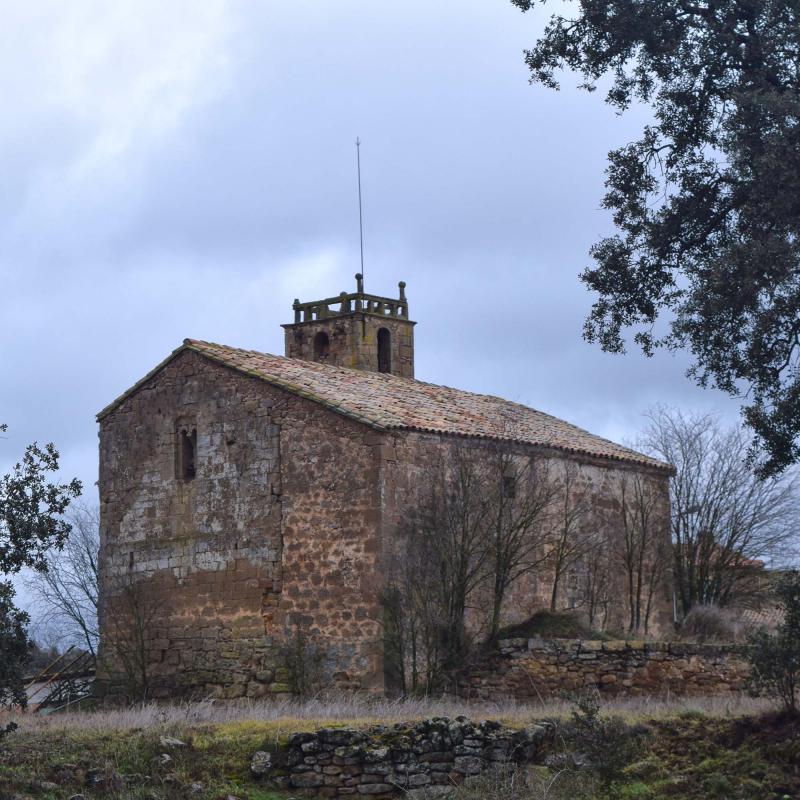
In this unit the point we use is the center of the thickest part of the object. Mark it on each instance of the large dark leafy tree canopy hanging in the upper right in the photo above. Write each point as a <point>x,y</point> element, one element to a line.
<point>707,201</point>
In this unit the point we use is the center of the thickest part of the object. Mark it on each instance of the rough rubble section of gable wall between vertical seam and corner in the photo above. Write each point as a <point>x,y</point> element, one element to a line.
<point>331,541</point>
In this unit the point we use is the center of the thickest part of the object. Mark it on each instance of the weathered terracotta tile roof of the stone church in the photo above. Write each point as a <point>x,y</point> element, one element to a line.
<point>387,402</point>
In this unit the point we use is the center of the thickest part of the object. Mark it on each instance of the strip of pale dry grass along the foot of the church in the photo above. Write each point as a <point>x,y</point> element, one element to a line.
<point>363,711</point>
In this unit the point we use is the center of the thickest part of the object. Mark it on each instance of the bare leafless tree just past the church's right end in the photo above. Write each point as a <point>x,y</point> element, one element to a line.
<point>727,523</point>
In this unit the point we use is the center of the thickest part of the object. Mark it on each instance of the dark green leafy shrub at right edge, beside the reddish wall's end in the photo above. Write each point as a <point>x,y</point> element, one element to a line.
<point>775,659</point>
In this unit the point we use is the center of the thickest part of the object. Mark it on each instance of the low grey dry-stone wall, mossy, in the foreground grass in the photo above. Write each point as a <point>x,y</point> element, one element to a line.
<point>418,760</point>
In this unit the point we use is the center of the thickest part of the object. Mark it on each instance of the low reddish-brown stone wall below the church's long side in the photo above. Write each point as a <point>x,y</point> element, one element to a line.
<point>533,669</point>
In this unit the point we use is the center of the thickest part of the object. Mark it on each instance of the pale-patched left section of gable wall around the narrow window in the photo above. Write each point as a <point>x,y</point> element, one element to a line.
<point>199,555</point>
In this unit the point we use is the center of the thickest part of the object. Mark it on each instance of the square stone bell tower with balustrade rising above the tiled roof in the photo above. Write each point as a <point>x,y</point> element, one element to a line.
<point>357,330</point>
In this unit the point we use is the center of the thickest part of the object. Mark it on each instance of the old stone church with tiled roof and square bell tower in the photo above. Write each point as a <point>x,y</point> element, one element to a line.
<point>244,494</point>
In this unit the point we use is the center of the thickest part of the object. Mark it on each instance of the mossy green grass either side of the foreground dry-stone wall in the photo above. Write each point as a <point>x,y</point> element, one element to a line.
<point>689,756</point>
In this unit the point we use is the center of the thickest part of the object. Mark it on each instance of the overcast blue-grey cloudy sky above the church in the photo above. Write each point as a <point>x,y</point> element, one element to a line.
<point>177,170</point>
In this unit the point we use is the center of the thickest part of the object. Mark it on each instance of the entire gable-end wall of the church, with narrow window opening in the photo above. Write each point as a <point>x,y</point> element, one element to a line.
<point>276,531</point>
